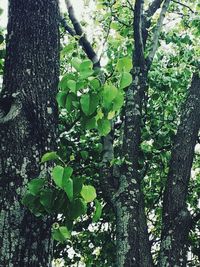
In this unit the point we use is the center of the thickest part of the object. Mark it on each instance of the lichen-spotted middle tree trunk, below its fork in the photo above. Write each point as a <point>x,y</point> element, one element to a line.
<point>133,247</point>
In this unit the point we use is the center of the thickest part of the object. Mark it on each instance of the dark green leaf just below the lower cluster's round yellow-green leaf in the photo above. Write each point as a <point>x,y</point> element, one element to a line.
<point>78,208</point>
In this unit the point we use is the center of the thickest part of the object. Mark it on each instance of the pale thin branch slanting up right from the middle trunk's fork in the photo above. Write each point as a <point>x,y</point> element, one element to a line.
<point>157,32</point>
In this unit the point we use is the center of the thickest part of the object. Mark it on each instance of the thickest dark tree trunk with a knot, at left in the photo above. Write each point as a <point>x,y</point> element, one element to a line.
<point>28,125</point>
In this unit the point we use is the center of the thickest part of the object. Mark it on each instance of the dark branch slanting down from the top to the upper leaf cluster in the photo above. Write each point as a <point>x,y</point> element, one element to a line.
<point>87,47</point>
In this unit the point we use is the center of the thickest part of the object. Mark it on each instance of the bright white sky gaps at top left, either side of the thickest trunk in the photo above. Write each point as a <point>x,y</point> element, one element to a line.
<point>78,7</point>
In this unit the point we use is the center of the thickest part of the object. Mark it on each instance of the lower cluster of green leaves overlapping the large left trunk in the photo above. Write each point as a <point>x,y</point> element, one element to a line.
<point>63,194</point>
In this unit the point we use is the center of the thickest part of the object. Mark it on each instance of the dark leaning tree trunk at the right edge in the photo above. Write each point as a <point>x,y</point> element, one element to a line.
<point>176,217</point>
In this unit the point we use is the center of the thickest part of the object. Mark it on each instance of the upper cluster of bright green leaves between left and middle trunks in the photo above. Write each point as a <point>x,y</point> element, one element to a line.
<point>94,102</point>
